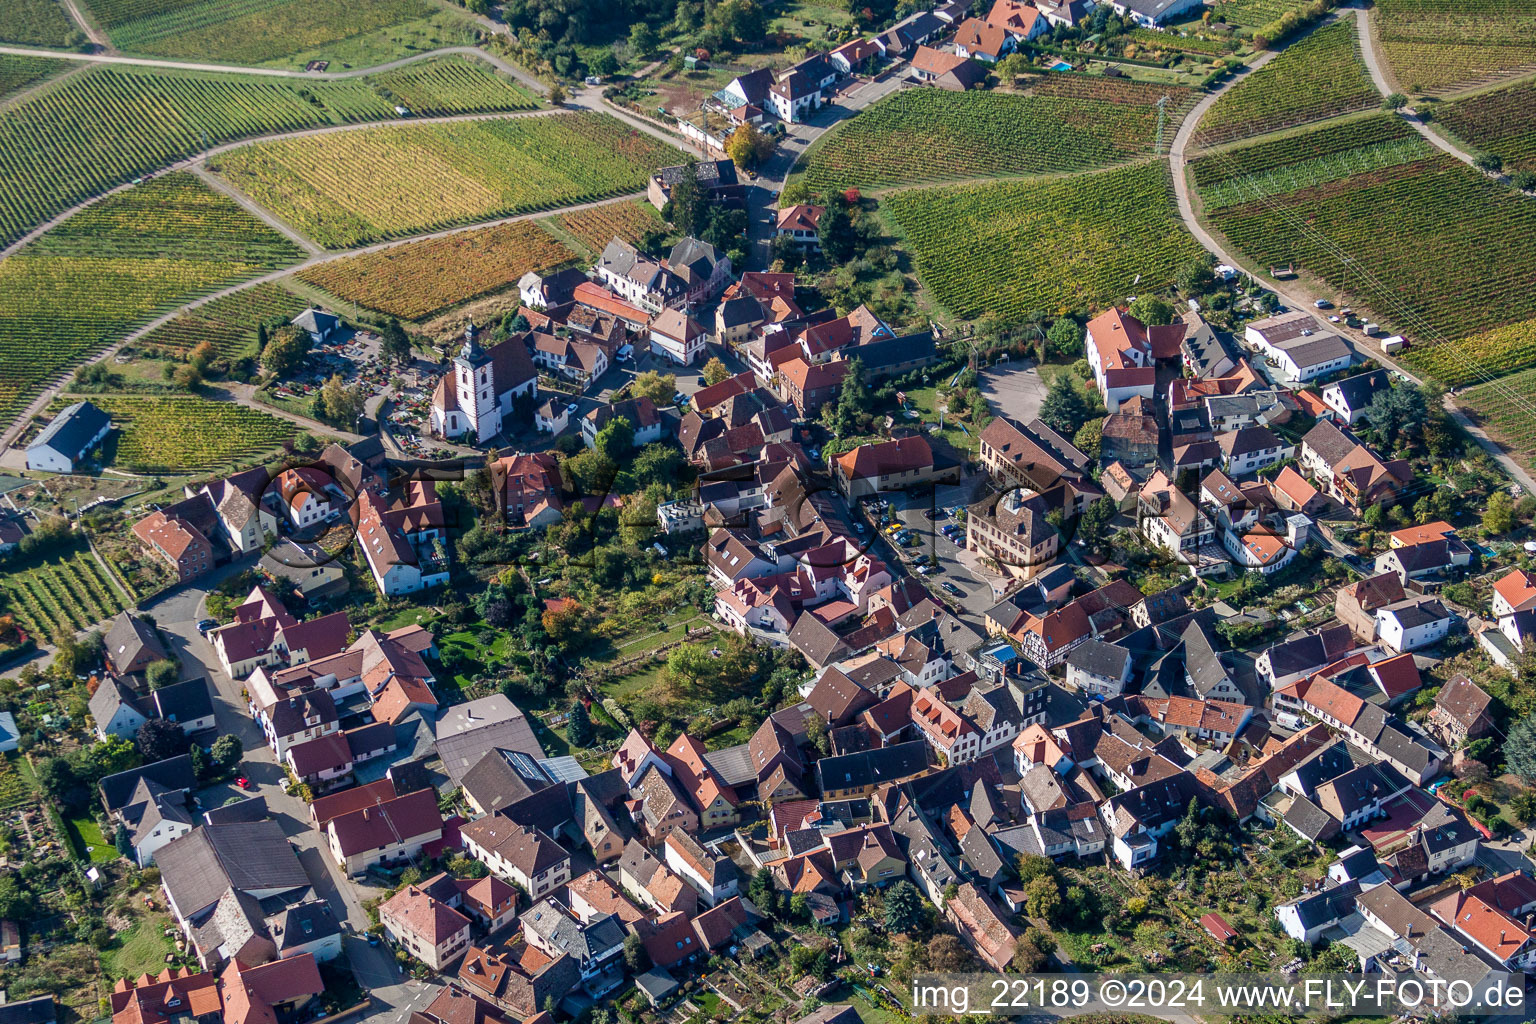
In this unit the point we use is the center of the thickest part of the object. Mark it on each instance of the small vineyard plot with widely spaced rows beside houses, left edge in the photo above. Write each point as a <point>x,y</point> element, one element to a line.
<point>61,593</point>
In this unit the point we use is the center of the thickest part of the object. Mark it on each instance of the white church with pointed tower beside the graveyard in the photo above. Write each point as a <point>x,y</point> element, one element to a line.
<point>483,389</point>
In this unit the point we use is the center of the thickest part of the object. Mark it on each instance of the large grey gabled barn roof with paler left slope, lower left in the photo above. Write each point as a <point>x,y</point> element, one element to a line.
<point>248,856</point>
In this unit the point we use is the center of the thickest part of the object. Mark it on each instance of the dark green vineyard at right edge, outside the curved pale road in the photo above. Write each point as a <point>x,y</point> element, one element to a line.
<point>1434,234</point>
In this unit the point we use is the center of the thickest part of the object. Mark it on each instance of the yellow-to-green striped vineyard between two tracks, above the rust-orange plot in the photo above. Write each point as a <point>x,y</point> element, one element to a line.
<point>371,185</point>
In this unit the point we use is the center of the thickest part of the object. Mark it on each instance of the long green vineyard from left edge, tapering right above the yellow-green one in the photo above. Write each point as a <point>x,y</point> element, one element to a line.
<point>111,125</point>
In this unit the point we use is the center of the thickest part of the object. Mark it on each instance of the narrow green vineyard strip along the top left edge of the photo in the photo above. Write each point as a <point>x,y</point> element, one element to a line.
<point>279,31</point>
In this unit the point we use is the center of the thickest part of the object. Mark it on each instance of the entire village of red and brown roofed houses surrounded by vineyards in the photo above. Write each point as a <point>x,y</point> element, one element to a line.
<point>690,642</point>
